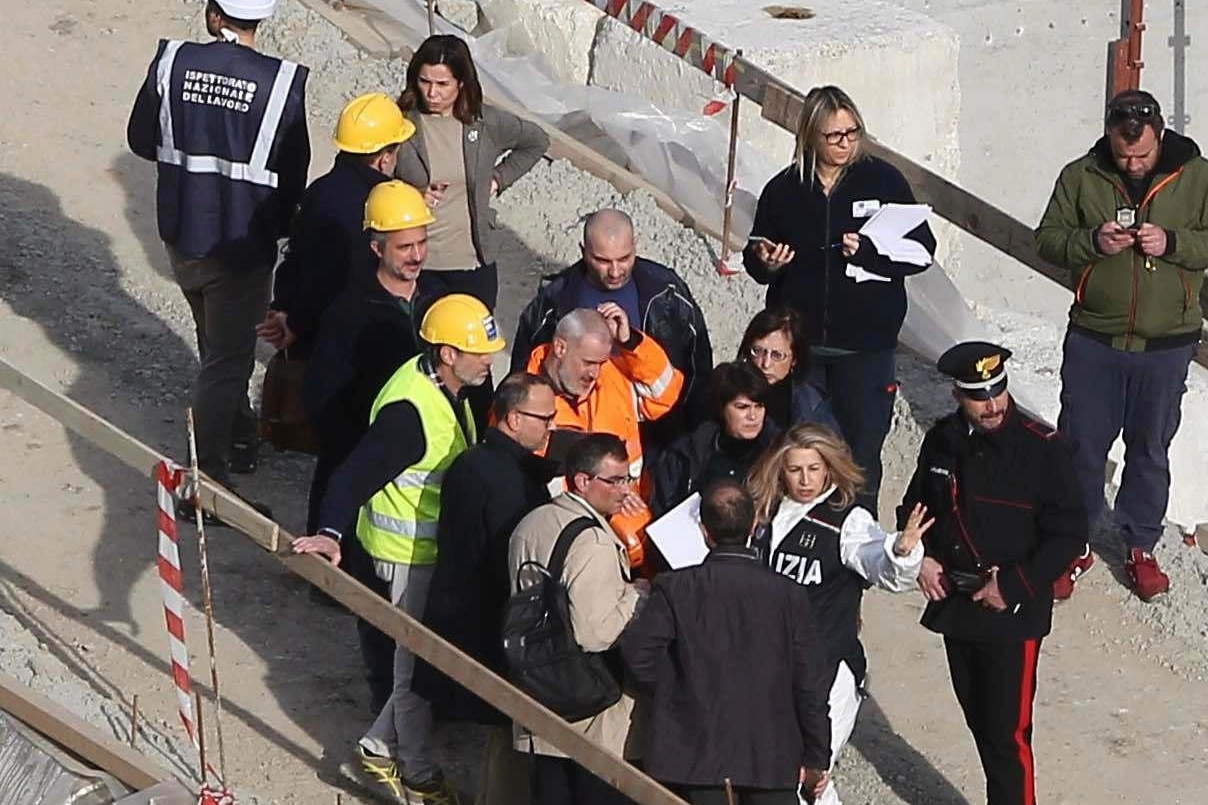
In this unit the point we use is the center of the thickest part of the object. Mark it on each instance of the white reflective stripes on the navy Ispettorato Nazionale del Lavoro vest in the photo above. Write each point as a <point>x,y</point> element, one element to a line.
<point>257,169</point>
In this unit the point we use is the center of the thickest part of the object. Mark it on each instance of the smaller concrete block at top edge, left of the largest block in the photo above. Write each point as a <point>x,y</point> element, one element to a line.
<point>561,31</point>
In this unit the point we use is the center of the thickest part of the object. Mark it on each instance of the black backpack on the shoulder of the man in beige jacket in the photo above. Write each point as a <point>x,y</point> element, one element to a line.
<point>541,652</point>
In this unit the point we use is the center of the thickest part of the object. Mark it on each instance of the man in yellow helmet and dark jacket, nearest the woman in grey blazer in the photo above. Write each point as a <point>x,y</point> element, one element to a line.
<point>328,245</point>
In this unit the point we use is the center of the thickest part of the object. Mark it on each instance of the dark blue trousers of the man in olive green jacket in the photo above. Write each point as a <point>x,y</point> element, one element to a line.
<point>1106,391</point>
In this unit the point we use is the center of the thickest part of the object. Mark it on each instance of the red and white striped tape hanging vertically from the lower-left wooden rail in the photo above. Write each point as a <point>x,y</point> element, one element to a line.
<point>170,480</point>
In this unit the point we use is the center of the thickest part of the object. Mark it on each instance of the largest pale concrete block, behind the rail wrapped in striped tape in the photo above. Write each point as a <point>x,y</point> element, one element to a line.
<point>901,68</point>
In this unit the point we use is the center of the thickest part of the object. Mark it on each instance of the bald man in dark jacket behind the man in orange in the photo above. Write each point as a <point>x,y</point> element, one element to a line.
<point>654,298</point>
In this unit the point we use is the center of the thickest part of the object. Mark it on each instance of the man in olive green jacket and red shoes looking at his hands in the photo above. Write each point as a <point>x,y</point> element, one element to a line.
<point>1130,221</point>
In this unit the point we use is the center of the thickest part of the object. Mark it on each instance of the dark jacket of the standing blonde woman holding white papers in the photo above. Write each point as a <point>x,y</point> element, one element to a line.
<point>839,311</point>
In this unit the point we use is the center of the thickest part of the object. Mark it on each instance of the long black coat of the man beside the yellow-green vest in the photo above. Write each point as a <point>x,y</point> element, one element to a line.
<point>486,491</point>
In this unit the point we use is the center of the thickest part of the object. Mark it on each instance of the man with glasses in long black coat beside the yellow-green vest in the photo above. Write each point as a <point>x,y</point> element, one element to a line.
<point>491,488</point>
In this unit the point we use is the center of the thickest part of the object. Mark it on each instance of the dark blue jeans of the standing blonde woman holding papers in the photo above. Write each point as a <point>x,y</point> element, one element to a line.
<point>862,390</point>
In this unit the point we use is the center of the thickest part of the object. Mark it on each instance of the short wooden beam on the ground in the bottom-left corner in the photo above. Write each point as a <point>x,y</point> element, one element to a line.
<point>82,739</point>
